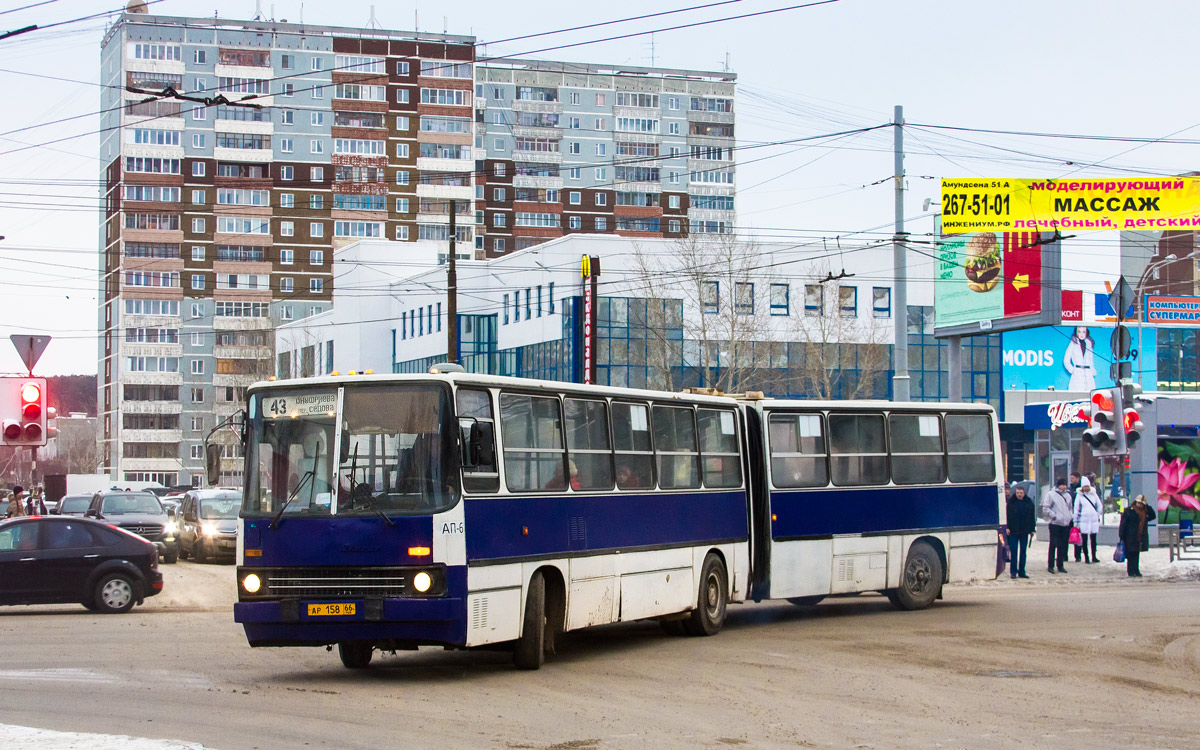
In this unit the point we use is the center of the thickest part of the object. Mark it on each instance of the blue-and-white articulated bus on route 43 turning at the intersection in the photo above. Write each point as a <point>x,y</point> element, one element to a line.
<point>386,513</point>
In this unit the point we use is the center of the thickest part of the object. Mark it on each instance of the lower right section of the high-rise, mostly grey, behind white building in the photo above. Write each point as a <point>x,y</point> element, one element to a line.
<point>569,148</point>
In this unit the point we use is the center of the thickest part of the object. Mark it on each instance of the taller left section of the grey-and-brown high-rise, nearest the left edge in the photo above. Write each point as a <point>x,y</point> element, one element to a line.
<point>220,221</point>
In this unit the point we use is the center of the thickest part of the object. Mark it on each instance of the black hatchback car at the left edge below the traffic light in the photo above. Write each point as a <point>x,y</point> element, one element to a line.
<point>59,560</point>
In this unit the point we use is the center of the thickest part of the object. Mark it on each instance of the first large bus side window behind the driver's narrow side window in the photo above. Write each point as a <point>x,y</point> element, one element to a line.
<point>535,459</point>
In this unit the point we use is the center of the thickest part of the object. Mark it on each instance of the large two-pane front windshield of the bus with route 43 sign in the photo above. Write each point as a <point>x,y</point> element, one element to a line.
<point>395,454</point>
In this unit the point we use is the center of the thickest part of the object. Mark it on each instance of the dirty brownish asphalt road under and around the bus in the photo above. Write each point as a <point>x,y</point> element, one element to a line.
<point>1087,665</point>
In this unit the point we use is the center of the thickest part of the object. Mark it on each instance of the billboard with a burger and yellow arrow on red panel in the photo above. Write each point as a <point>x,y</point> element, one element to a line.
<point>993,281</point>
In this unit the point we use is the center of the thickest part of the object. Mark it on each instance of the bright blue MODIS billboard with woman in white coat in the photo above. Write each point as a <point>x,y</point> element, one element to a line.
<point>1067,358</point>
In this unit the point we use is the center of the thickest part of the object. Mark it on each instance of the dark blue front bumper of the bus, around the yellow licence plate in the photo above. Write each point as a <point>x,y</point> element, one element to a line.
<point>440,621</point>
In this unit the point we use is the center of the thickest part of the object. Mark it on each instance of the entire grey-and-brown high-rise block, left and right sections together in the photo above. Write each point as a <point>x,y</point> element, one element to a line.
<point>221,219</point>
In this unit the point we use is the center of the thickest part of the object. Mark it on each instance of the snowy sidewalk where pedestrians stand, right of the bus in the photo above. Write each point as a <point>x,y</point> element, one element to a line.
<point>1155,567</point>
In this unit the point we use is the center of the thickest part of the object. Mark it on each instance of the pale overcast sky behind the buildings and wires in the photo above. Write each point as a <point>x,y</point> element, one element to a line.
<point>1064,67</point>
